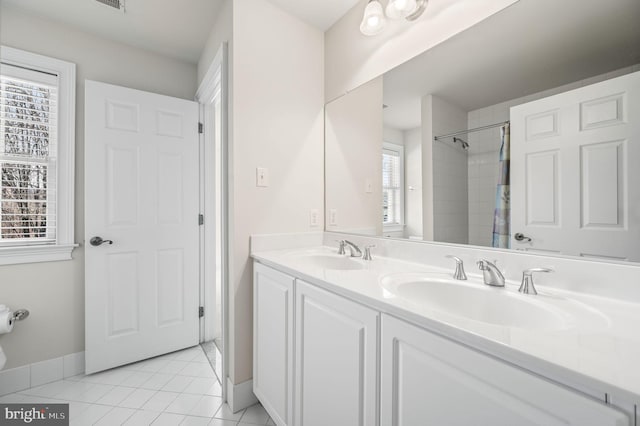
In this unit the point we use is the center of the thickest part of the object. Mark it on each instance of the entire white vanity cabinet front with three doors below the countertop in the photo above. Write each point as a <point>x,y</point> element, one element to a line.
<point>322,359</point>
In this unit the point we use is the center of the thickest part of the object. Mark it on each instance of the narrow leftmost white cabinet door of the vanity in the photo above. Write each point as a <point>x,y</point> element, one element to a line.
<point>273,342</point>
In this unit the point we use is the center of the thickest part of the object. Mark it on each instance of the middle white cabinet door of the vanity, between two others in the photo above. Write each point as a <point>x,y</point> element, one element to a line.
<point>336,360</point>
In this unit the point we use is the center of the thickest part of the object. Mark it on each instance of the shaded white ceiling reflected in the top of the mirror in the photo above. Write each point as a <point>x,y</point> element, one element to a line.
<point>531,46</point>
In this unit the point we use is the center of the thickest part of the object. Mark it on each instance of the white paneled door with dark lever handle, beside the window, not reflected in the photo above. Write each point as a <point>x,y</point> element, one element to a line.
<point>142,193</point>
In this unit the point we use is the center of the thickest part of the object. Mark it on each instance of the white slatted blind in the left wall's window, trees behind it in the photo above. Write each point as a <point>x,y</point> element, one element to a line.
<point>28,150</point>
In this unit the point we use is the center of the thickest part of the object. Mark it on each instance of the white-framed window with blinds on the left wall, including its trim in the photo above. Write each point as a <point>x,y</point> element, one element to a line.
<point>37,115</point>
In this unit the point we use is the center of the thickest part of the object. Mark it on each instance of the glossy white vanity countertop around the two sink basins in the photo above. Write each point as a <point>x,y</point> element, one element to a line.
<point>601,355</point>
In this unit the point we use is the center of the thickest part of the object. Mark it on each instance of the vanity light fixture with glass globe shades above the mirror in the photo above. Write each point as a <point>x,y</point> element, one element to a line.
<point>373,21</point>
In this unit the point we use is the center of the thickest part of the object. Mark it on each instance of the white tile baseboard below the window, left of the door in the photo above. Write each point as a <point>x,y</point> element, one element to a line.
<point>39,373</point>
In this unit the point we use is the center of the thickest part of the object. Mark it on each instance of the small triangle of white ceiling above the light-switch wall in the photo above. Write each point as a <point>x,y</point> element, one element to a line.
<point>321,14</point>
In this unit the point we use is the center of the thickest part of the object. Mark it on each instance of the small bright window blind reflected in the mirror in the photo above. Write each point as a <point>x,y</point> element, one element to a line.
<point>391,187</point>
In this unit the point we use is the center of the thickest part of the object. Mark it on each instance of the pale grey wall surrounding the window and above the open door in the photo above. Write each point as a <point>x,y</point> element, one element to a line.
<point>54,292</point>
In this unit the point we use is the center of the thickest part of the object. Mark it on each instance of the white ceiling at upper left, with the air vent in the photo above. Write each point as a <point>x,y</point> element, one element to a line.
<point>174,28</point>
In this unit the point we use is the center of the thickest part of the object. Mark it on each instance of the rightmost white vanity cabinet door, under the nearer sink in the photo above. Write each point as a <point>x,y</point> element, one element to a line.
<point>429,380</point>
